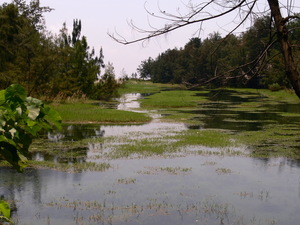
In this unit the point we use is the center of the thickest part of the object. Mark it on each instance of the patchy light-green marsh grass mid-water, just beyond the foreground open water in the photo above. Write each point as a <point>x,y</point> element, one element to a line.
<point>206,142</point>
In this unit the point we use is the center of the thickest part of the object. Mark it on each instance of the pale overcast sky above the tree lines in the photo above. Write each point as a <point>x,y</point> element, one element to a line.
<point>101,16</point>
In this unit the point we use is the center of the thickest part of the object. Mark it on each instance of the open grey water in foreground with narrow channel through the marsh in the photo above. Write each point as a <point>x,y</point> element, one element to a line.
<point>156,190</point>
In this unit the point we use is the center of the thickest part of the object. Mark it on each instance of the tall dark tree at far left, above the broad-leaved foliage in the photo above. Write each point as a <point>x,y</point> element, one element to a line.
<point>23,45</point>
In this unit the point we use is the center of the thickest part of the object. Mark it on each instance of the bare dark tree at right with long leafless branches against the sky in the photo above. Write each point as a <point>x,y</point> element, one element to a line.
<point>199,13</point>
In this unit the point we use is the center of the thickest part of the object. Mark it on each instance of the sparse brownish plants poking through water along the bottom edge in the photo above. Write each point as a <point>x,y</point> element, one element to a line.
<point>205,212</point>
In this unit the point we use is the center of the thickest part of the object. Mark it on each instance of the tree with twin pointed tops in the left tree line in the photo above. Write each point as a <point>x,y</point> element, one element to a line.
<point>79,67</point>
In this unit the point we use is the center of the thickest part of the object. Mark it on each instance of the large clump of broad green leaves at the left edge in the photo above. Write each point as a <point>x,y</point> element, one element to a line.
<point>21,119</point>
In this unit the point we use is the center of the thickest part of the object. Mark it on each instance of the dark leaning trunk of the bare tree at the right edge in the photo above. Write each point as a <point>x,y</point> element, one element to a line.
<point>282,34</point>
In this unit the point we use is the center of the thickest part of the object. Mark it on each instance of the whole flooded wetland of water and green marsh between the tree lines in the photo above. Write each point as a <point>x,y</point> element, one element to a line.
<point>226,156</point>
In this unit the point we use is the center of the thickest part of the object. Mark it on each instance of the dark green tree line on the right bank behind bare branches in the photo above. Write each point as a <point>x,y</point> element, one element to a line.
<point>226,61</point>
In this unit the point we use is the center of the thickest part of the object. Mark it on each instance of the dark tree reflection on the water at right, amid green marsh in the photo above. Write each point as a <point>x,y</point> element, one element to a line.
<point>222,114</point>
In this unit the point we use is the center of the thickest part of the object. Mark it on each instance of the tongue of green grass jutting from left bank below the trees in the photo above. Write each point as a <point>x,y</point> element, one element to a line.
<point>88,113</point>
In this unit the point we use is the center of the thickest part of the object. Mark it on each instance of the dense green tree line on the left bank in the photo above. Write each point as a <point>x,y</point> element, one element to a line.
<point>49,65</point>
